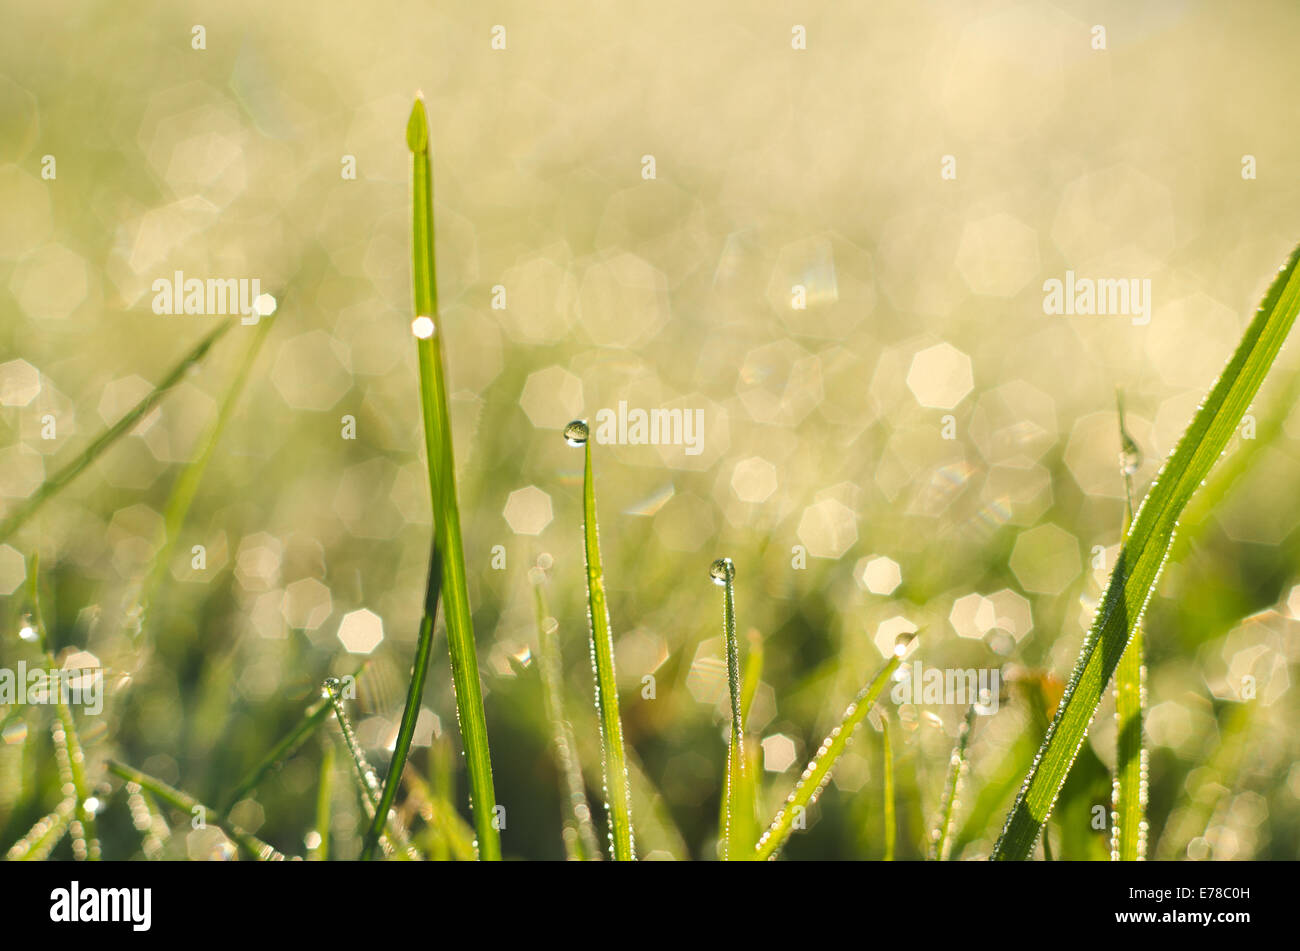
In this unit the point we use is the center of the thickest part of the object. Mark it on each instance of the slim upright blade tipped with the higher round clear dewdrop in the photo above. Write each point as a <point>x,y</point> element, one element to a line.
<point>618,789</point>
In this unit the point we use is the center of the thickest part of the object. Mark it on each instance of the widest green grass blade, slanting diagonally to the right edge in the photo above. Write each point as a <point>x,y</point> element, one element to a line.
<point>1143,555</point>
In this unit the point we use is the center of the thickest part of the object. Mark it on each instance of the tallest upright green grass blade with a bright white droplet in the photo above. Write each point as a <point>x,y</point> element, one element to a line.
<point>443,485</point>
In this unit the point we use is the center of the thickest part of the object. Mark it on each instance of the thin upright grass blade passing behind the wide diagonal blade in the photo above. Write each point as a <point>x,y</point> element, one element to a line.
<point>1129,792</point>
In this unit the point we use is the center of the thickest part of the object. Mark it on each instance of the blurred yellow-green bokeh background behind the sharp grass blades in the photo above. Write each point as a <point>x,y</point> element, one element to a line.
<point>837,253</point>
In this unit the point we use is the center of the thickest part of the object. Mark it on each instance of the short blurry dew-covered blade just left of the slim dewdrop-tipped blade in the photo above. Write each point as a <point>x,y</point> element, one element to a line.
<point>579,833</point>
